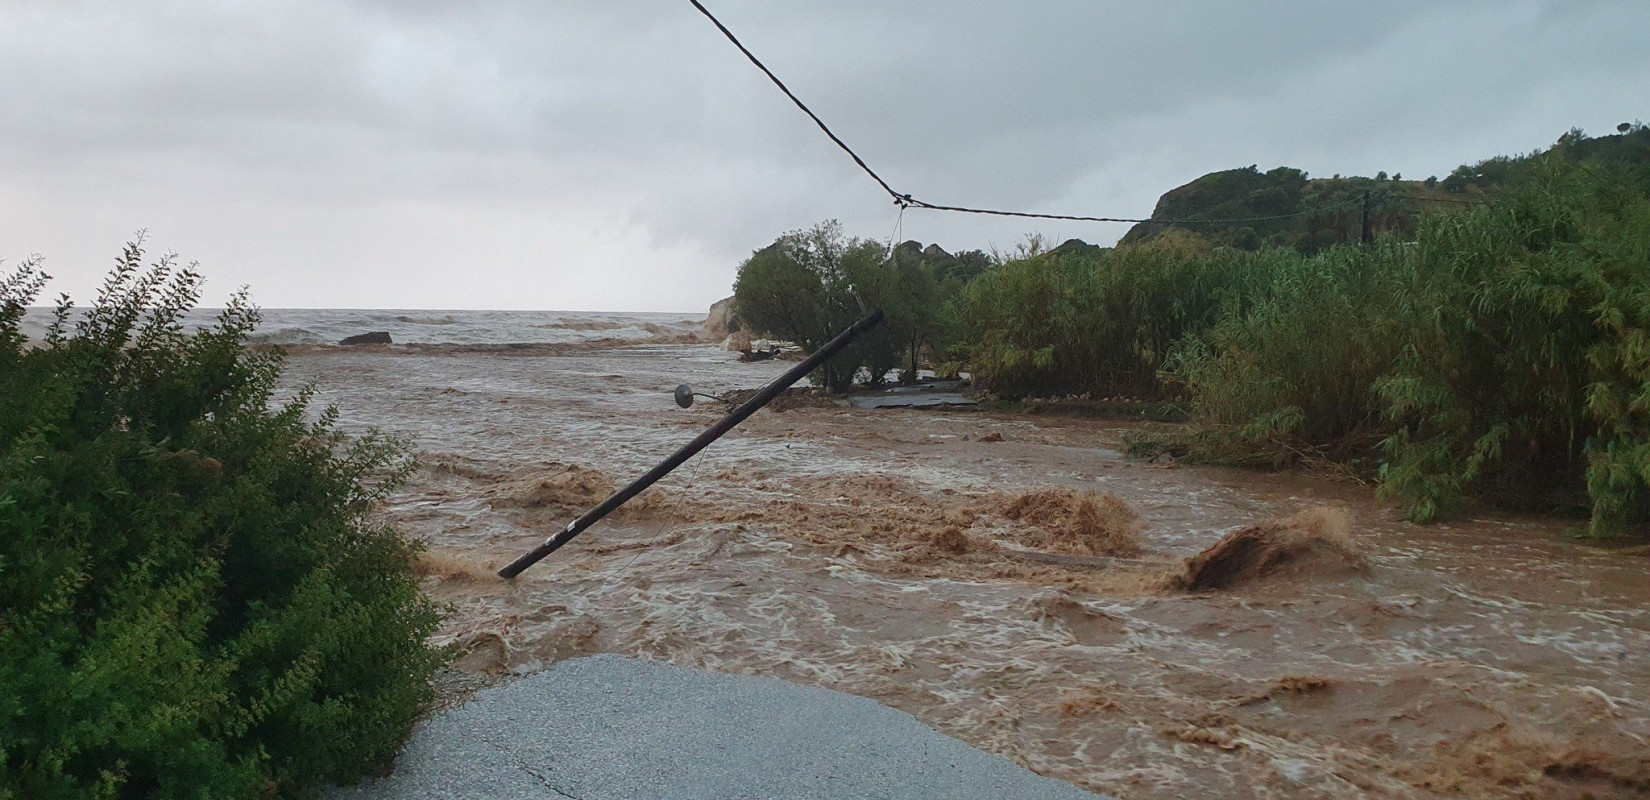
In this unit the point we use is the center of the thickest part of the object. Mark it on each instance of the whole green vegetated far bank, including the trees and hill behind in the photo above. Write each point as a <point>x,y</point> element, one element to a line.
<point>1492,344</point>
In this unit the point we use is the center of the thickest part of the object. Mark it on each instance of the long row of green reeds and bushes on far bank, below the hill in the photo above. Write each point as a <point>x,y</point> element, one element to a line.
<point>1502,354</point>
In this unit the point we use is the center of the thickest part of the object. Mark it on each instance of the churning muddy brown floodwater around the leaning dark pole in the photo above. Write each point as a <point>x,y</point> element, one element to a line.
<point>1001,593</point>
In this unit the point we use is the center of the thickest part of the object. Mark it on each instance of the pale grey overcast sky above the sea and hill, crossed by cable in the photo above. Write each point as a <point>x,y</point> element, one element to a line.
<point>621,156</point>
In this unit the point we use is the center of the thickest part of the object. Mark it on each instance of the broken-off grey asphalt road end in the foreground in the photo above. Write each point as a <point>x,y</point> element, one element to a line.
<point>608,728</point>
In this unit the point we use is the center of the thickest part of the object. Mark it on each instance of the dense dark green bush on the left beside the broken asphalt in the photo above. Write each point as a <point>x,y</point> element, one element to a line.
<point>194,598</point>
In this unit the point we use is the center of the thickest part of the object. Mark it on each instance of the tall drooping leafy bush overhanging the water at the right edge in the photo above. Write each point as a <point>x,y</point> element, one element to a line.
<point>1527,375</point>
